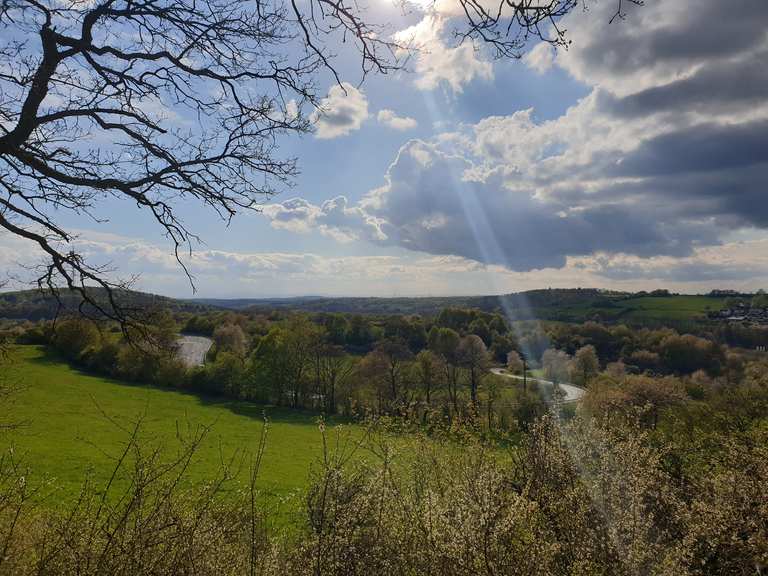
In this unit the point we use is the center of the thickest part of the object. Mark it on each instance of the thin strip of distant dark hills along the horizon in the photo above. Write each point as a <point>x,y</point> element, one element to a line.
<point>566,305</point>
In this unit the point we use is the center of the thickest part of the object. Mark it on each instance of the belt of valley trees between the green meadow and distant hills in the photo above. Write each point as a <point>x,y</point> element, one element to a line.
<point>423,368</point>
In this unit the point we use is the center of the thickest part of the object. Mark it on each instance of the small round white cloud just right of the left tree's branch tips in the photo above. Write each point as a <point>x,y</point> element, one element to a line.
<point>343,111</point>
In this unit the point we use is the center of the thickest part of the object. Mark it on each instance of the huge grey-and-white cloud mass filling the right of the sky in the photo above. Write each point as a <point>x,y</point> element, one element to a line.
<point>664,158</point>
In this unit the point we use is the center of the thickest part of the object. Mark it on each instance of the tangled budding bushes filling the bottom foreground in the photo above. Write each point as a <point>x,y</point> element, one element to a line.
<point>583,498</point>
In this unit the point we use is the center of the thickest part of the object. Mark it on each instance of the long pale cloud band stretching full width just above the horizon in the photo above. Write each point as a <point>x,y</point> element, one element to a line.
<point>740,264</point>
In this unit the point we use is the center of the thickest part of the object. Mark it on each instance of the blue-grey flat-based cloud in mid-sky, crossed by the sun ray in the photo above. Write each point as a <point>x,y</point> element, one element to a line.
<point>432,208</point>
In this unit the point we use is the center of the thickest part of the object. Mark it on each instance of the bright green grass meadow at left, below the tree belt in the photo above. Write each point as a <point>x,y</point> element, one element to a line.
<point>67,429</point>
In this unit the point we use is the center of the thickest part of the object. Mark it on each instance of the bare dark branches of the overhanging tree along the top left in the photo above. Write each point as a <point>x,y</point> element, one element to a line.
<point>160,102</point>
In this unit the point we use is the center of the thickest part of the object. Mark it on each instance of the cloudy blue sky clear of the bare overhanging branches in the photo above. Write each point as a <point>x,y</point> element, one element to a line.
<point>635,159</point>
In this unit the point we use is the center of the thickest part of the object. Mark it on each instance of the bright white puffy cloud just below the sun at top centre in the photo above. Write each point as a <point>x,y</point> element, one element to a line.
<point>438,64</point>
